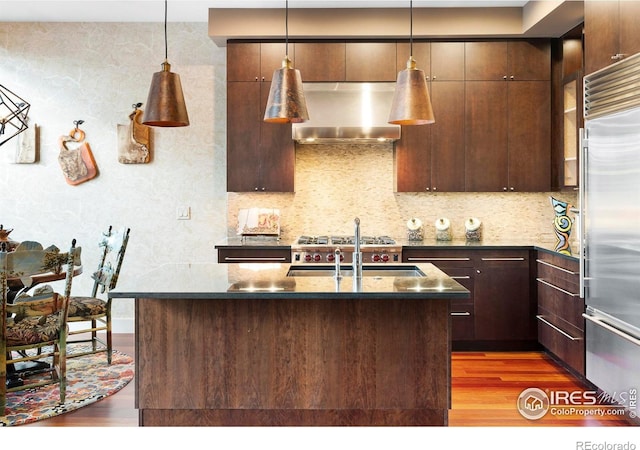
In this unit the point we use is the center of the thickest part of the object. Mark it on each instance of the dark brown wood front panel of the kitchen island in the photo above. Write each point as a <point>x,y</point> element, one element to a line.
<point>293,362</point>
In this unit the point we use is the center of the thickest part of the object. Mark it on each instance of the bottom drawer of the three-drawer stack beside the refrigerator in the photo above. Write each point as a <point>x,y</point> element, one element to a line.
<point>563,340</point>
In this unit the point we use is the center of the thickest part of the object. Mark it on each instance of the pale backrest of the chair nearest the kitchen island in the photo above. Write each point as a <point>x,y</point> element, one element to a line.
<point>114,244</point>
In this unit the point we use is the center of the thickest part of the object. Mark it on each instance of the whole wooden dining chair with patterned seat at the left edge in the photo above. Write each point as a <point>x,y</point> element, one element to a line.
<point>34,328</point>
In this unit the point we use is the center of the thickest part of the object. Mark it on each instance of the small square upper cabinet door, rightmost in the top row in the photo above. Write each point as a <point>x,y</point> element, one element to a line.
<point>529,60</point>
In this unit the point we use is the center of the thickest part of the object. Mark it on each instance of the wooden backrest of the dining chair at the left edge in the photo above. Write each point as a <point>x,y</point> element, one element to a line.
<point>30,259</point>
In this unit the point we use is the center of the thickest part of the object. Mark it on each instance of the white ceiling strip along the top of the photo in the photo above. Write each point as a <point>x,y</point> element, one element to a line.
<point>192,10</point>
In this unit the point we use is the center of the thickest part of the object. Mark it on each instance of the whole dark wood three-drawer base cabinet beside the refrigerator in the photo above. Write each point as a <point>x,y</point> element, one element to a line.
<point>560,322</point>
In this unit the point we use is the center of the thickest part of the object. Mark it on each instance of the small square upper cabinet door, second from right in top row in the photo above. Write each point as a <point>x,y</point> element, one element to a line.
<point>485,61</point>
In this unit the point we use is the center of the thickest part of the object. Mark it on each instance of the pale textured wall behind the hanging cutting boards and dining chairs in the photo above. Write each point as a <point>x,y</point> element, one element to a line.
<point>95,72</point>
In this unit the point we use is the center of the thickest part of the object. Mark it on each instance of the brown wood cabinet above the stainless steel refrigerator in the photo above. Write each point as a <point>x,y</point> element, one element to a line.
<point>611,32</point>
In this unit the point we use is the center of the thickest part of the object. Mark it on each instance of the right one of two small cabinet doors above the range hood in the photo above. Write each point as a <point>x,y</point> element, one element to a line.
<point>371,61</point>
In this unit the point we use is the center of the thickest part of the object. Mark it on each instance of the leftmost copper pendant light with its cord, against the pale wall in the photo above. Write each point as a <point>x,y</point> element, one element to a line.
<point>165,103</point>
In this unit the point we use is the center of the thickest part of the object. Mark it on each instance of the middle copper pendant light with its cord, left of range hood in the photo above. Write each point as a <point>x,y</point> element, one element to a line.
<point>286,103</point>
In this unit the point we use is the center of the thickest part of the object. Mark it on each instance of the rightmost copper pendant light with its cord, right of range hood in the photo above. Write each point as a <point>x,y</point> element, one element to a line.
<point>411,102</point>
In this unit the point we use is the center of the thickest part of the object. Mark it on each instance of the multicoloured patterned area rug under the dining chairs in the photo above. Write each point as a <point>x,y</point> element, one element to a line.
<point>89,379</point>
